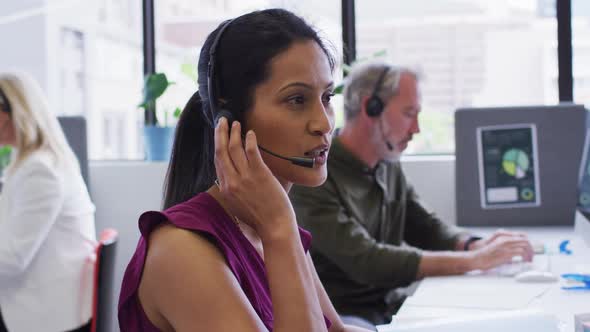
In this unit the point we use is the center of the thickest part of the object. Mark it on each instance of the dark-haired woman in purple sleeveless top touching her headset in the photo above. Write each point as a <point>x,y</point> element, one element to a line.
<point>226,253</point>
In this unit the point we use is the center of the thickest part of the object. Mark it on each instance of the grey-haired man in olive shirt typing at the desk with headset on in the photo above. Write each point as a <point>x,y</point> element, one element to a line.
<point>371,233</point>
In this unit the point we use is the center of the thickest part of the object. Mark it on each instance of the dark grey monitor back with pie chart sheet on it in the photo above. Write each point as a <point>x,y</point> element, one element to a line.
<point>518,166</point>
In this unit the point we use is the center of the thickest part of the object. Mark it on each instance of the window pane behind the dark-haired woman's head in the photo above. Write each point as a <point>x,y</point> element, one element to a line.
<point>183,25</point>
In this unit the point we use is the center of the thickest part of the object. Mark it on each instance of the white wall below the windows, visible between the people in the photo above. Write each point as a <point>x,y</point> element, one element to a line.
<point>121,191</point>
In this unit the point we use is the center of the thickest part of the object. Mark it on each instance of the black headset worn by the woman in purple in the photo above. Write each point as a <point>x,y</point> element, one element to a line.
<point>219,111</point>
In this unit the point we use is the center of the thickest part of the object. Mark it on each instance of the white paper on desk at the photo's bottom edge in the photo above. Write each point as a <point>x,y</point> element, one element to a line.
<point>511,321</point>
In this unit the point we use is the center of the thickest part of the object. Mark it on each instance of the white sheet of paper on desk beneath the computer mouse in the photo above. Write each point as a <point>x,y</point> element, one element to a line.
<point>478,292</point>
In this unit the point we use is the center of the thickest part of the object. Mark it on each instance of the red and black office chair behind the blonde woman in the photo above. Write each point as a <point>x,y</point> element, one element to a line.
<point>104,273</point>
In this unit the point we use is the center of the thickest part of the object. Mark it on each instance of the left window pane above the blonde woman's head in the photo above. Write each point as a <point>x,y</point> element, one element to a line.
<point>87,56</point>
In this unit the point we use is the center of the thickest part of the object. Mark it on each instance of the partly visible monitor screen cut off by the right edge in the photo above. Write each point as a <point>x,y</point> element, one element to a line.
<point>583,205</point>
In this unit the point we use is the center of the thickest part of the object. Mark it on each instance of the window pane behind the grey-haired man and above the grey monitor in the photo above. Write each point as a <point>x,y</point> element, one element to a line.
<point>470,53</point>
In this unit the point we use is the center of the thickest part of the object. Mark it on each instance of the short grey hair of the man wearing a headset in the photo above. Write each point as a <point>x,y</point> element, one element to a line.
<point>361,82</point>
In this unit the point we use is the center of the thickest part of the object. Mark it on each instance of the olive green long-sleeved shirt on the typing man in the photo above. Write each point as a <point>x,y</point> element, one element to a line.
<point>368,230</point>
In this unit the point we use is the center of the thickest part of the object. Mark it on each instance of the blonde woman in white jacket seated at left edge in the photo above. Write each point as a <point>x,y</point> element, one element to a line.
<point>46,219</point>
